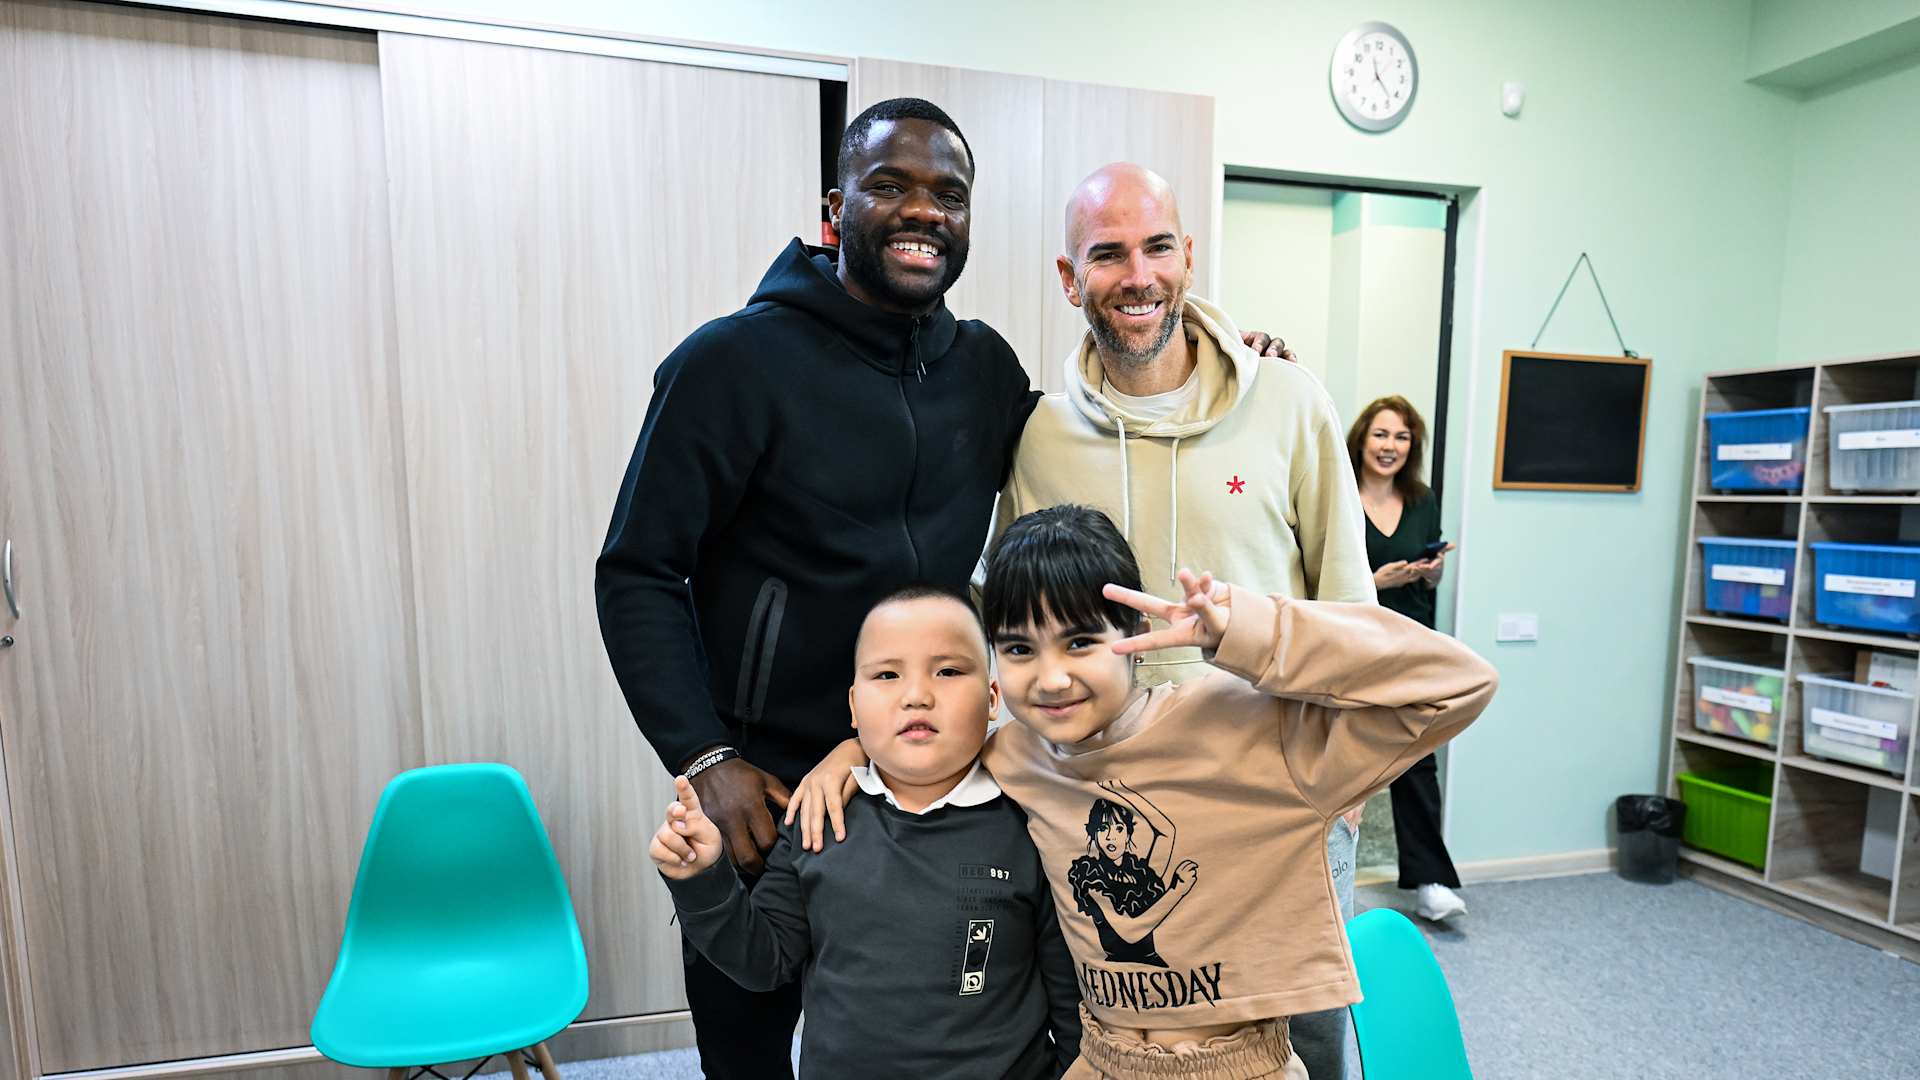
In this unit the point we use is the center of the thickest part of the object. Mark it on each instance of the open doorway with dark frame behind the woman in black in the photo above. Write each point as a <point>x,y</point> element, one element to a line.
<point>1360,283</point>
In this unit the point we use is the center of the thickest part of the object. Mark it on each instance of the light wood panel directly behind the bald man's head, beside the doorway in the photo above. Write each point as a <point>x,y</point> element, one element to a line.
<point>1092,126</point>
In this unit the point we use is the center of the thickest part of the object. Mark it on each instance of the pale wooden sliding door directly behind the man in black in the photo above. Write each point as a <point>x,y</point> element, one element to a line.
<point>560,224</point>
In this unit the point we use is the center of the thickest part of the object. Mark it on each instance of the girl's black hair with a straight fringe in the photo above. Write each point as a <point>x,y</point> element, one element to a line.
<point>1053,564</point>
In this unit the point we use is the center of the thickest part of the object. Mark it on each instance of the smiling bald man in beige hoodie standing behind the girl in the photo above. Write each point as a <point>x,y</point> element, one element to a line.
<point>1205,453</point>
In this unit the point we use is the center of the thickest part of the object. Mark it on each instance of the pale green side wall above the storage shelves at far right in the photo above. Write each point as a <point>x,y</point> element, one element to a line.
<point>1852,282</point>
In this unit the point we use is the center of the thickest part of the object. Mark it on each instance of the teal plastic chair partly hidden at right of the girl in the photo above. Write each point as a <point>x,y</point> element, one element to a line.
<point>1406,1025</point>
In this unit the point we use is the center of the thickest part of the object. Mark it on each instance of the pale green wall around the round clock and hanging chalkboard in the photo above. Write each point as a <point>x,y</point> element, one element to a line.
<point>1641,143</point>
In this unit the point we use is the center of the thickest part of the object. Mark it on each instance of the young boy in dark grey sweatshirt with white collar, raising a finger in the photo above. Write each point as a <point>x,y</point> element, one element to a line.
<point>928,941</point>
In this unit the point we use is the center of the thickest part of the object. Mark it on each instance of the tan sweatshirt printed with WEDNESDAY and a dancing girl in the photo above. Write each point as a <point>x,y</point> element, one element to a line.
<point>1188,850</point>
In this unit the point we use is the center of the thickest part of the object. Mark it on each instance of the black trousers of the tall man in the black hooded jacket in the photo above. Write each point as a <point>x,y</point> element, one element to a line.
<point>740,1035</point>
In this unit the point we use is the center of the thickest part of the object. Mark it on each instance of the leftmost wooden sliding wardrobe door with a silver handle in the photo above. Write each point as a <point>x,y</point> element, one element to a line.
<point>201,481</point>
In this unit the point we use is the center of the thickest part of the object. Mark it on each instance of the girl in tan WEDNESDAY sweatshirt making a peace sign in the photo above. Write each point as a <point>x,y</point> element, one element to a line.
<point>1184,829</point>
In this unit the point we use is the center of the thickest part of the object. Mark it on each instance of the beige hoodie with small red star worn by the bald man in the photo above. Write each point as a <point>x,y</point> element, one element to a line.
<point>1251,479</point>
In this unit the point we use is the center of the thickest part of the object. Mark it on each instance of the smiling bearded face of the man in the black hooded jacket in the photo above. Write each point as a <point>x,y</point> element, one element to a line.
<point>903,216</point>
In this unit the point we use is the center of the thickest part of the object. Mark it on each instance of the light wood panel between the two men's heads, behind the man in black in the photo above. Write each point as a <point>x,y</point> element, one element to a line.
<point>1011,268</point>
